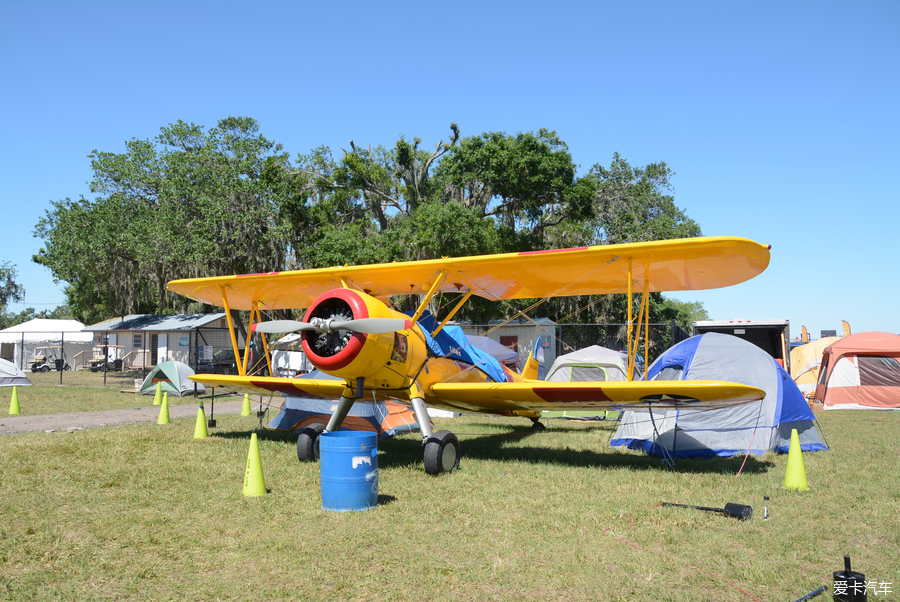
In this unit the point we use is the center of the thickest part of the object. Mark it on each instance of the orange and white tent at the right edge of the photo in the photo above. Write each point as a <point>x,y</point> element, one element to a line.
<point>861,372</point>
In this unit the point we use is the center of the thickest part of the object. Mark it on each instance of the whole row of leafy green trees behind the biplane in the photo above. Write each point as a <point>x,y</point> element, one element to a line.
<point>198,202</point>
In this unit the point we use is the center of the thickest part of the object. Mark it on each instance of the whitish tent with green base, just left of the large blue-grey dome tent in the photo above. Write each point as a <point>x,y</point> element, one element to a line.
<point>593,363</point>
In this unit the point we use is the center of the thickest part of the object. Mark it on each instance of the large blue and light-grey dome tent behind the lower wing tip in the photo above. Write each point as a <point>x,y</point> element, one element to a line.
<point>755,427</point>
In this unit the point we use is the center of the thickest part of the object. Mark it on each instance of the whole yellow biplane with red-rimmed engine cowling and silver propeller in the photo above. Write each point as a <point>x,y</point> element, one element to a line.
<point>351,331</point>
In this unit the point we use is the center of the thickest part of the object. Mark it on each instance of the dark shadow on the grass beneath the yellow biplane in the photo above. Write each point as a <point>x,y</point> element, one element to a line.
<point>407,451</point>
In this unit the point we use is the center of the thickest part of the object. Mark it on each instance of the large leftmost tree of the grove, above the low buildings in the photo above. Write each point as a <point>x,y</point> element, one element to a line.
<point>188,203</point>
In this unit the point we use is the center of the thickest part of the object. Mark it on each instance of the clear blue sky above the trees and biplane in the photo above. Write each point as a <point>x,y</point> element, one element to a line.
<point>780,120</point>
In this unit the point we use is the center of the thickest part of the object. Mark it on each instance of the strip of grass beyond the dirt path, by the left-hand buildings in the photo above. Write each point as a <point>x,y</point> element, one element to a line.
<point>81,391</point>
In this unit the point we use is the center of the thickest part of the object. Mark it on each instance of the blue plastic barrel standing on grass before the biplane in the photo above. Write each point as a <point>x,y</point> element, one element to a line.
<point>348,470</point>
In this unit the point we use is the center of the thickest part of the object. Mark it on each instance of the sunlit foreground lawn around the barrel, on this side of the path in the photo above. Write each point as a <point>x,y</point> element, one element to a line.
<point>144,511</point>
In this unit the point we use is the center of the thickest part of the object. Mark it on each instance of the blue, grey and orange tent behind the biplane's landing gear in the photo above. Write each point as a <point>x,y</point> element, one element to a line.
<point>382,417</point>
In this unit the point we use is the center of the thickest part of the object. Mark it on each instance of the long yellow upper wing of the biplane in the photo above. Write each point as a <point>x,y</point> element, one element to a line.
<point>666,265</point>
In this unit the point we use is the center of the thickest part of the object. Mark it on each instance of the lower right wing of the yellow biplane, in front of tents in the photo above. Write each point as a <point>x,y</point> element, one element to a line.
<point>540,395</point>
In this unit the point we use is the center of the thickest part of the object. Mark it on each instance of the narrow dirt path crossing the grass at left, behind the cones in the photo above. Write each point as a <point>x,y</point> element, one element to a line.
<point>81,420</point>
